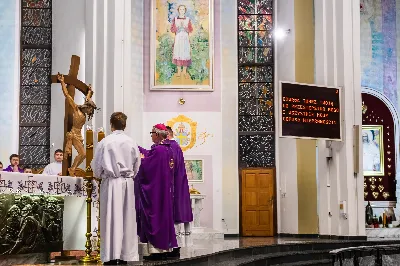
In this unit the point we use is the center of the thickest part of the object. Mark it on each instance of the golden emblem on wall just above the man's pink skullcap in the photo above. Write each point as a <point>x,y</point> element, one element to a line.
<point>184,130</point>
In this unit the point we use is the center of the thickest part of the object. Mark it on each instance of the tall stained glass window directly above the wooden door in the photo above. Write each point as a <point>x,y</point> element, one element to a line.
<point>256,83</point>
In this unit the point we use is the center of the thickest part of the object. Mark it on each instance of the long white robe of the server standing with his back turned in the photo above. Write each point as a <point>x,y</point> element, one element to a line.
<point>116,161</point>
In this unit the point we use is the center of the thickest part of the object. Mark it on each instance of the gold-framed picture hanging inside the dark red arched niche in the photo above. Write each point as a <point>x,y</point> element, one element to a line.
<point>373,150</point>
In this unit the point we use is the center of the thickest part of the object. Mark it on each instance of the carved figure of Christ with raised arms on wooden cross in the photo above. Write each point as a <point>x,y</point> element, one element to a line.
<point>74,137</point>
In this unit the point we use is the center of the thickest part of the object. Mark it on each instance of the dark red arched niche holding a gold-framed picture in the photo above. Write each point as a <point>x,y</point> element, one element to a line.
<point>380,149</point>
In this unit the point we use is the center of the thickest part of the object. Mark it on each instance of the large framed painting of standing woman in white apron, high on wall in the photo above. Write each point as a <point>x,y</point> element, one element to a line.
<point>182,45</point>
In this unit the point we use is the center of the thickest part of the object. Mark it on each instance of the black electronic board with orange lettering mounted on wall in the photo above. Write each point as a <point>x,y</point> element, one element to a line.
<point>310,111</point>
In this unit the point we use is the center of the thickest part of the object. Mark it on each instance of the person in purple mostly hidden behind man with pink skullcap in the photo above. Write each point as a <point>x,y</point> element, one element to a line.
<point>182,205</point>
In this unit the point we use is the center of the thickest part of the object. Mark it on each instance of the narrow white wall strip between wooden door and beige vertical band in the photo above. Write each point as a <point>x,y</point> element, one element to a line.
<point>286,154</point>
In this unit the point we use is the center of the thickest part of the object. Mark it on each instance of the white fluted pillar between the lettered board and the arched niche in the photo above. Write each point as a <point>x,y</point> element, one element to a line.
<point>337,35</point>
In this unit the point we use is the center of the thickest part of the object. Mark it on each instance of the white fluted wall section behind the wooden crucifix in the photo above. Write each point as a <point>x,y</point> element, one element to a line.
<point>101,34</point>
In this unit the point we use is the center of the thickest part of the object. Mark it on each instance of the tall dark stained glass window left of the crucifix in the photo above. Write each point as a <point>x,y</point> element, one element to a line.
<point>35,91</point>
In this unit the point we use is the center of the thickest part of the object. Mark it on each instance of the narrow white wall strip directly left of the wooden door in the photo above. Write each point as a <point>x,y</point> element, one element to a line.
<point>229,99</point>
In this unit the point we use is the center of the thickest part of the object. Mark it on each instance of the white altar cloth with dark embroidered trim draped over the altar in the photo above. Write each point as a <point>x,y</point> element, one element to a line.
<point>74,191</point>
